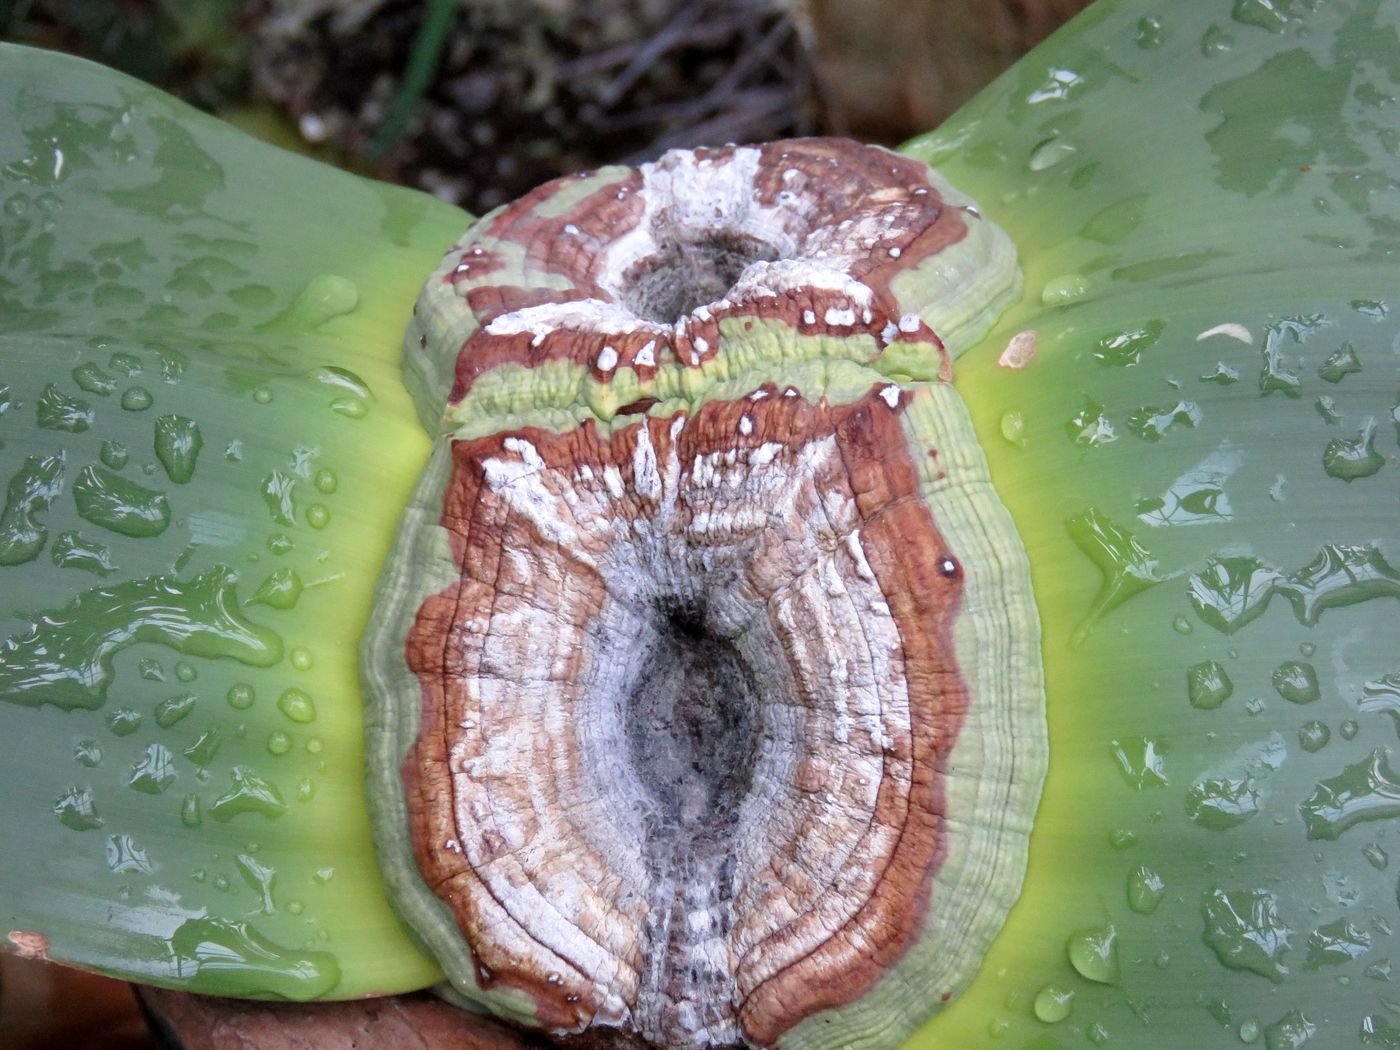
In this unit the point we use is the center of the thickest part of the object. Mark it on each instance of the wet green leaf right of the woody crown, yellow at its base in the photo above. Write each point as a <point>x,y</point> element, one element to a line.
<point>1205,198</point>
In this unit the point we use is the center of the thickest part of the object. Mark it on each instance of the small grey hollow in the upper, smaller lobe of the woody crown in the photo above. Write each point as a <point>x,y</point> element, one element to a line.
<point>685,275</point>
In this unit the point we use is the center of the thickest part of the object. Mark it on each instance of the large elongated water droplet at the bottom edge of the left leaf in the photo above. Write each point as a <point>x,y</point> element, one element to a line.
<point>225,958</point>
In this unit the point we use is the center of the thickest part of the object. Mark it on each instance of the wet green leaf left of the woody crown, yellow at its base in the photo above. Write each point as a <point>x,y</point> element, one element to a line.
<point>206,446</point>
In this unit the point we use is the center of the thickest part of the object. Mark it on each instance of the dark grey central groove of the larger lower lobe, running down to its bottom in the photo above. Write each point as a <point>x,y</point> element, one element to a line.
<point>692,730</point>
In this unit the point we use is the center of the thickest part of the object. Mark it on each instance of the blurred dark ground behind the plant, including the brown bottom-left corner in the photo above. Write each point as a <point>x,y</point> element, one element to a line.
<point>481,100</point>
